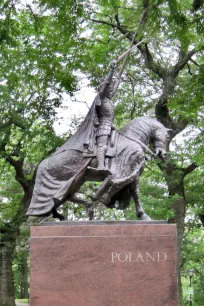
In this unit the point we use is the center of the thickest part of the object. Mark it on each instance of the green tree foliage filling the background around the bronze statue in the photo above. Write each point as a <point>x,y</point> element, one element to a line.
<point>46,45</point>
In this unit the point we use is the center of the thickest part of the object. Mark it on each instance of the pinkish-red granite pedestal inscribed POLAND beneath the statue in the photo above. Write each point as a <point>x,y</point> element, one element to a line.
<point>104,265</point>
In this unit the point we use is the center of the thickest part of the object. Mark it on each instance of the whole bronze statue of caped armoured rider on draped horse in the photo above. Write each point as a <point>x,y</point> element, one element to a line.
<point>96,152</point>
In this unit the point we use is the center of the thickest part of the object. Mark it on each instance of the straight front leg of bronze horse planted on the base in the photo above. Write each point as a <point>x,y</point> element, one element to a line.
<point>135,190</point>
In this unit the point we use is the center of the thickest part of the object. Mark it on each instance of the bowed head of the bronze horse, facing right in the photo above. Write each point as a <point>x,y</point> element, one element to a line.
<point>160,139</point>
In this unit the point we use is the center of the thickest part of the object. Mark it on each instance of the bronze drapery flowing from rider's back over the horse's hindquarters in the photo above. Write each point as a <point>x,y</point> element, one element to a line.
<point>54,176</point>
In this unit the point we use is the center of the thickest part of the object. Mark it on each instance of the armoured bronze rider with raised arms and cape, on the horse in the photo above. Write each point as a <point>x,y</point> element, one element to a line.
<point>98,123</point>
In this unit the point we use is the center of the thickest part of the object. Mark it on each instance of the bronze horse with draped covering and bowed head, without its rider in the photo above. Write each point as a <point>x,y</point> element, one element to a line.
<point>60,176</point>
